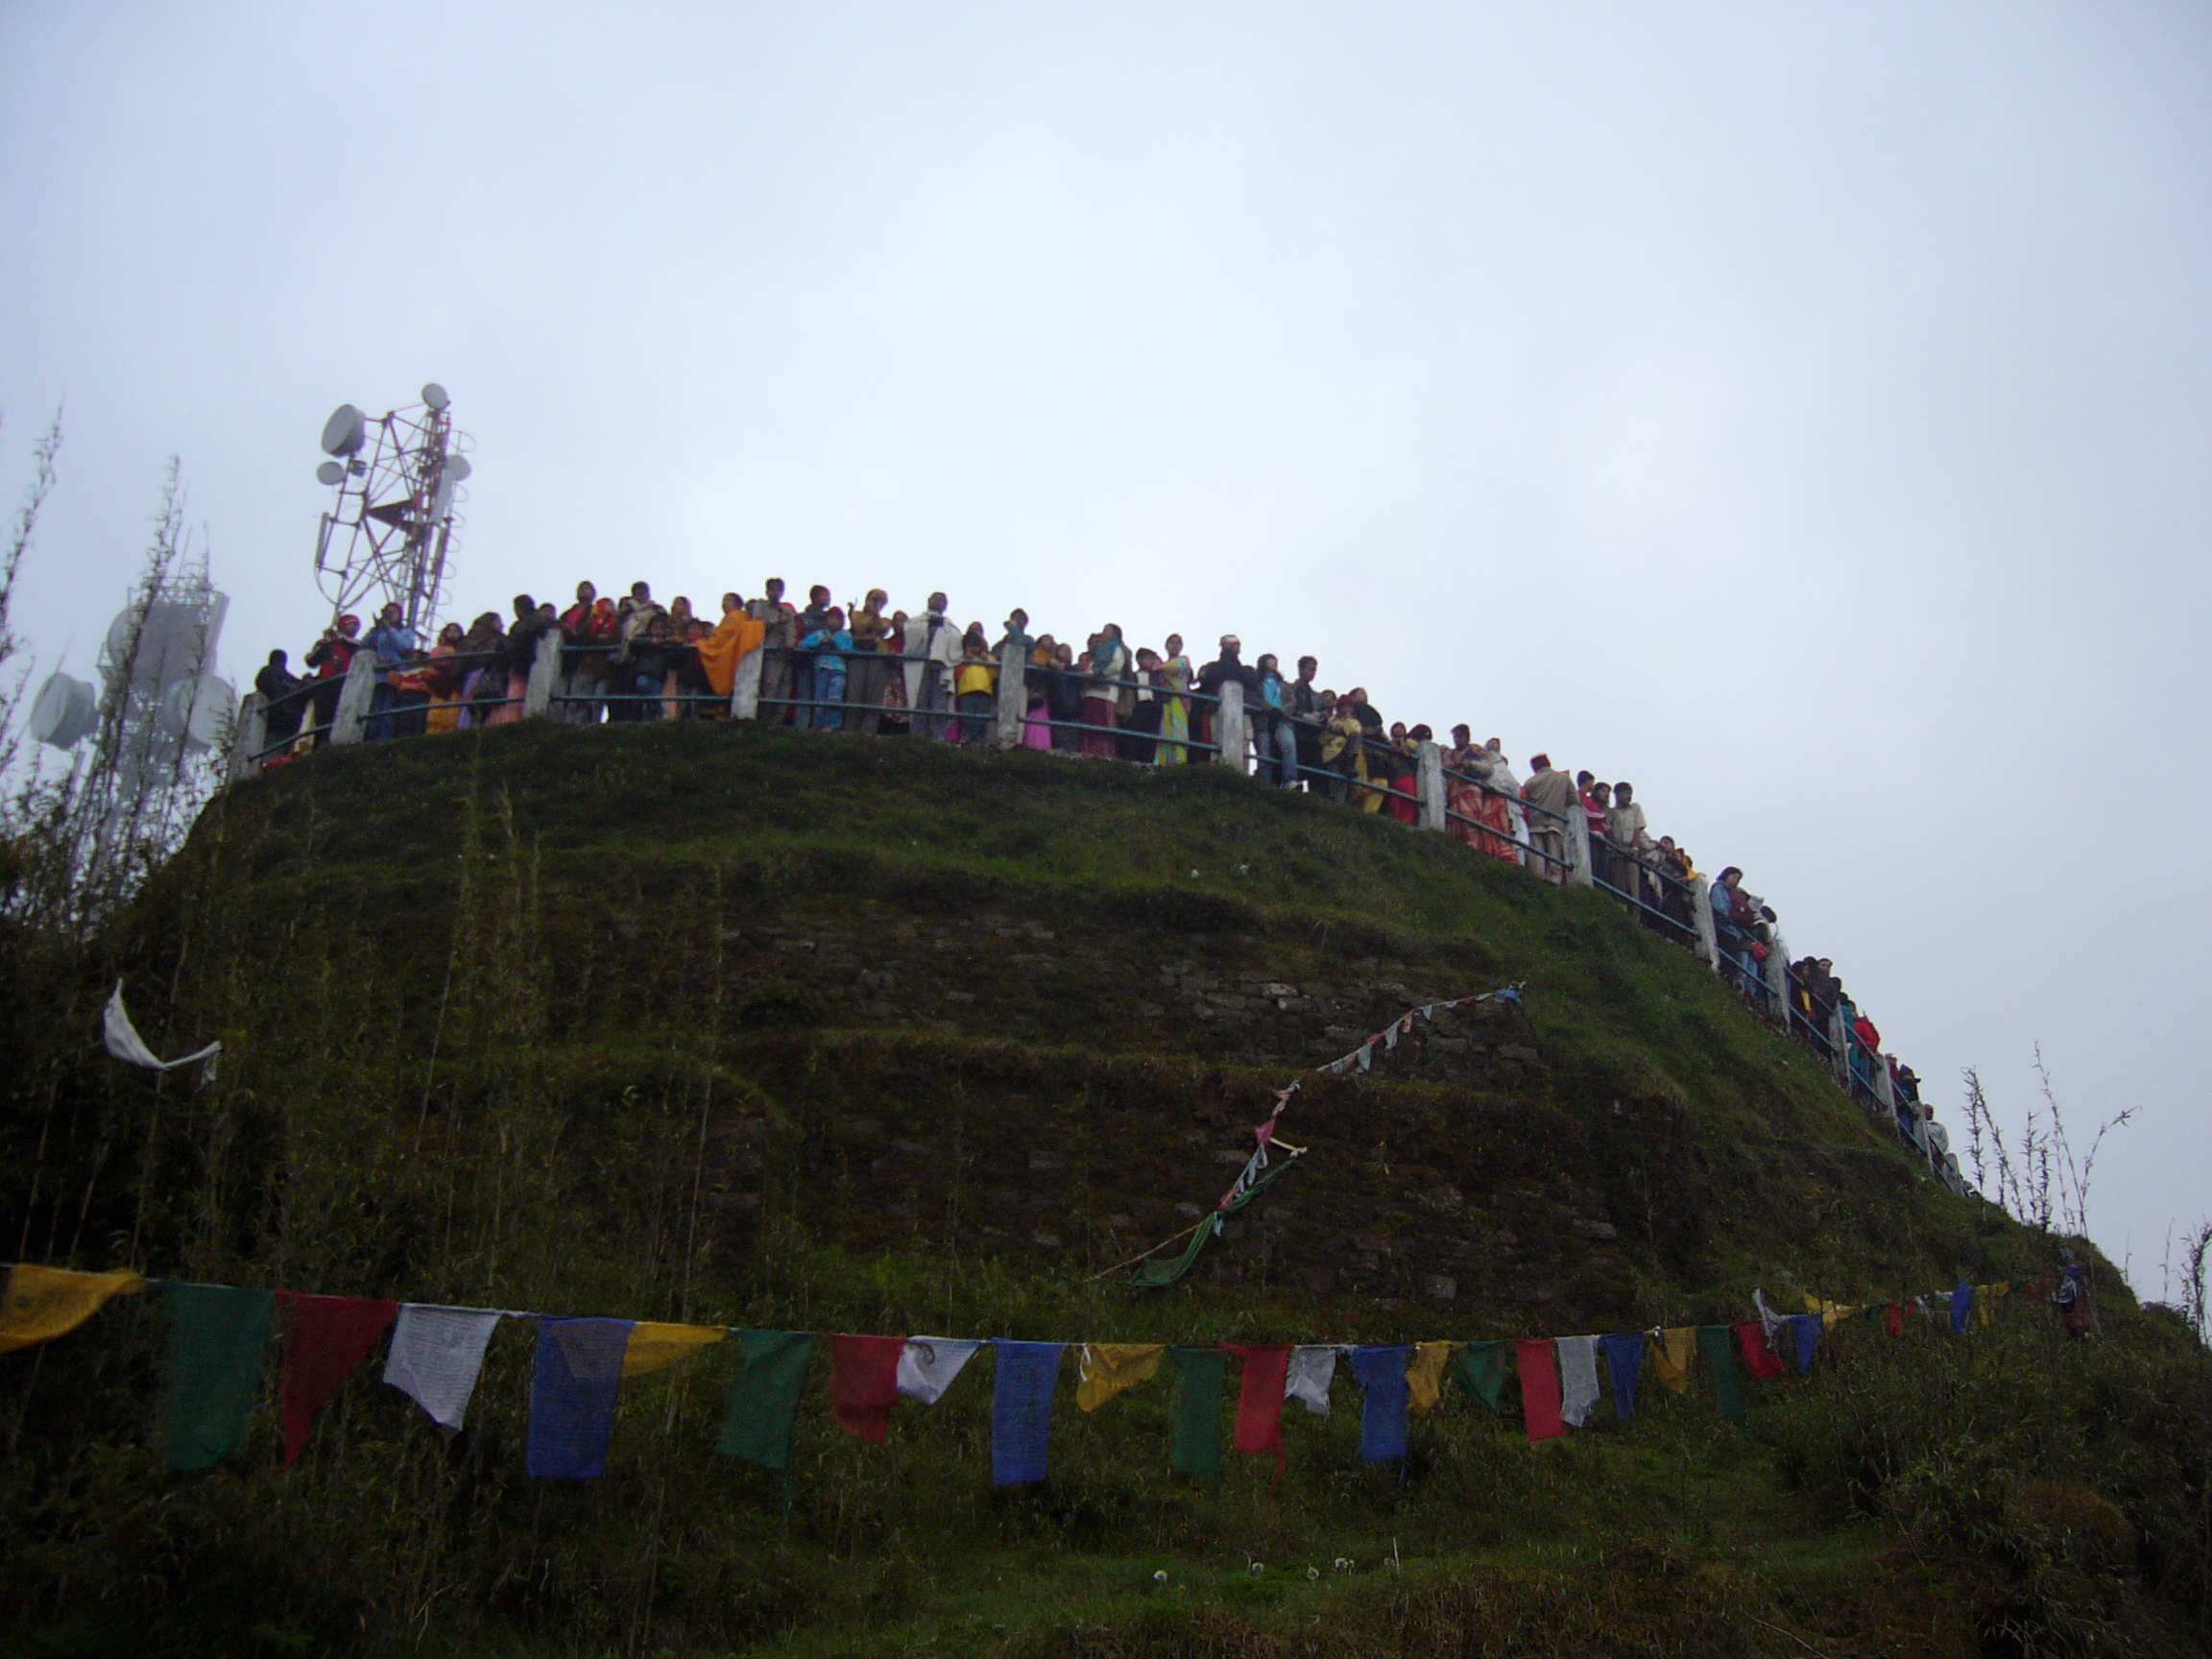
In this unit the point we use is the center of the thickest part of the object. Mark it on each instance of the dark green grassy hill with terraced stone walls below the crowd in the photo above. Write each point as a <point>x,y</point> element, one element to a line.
<point>791,1032</point>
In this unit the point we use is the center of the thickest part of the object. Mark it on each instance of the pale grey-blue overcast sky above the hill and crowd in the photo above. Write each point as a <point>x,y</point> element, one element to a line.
<point>1802,413</point>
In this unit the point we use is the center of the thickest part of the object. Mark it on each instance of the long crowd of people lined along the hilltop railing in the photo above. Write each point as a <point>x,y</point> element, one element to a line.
<point>888,674</point>
